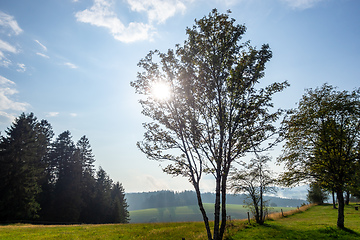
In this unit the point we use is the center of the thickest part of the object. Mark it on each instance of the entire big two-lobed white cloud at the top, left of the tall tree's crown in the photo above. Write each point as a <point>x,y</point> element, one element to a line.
<point>102,14</point>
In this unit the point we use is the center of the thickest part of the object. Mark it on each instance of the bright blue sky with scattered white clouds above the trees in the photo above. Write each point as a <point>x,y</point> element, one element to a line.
<point>71,62</point>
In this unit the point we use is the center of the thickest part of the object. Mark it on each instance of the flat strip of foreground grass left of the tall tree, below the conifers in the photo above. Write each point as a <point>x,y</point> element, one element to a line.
<point>189,230</point>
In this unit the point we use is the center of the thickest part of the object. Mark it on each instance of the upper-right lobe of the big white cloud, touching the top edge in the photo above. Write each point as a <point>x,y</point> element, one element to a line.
<point>158,10</point>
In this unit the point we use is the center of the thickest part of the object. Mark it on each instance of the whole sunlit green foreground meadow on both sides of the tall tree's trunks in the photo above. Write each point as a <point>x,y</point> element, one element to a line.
<point>318,222</point>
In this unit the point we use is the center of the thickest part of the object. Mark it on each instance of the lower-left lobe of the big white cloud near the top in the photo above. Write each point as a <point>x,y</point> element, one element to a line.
<point>102,15</point>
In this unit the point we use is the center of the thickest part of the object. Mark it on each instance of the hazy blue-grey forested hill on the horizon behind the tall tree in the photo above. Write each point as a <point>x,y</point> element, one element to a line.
<point>160,199</point>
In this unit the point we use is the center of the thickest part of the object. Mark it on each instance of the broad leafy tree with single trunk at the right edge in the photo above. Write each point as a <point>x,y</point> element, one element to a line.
<point>322,141</point>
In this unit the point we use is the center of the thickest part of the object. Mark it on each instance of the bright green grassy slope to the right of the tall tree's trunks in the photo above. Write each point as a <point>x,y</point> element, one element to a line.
<point>318,222</point>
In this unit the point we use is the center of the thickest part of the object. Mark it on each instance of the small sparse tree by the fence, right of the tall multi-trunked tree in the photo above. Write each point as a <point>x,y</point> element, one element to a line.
<point>255,180</point>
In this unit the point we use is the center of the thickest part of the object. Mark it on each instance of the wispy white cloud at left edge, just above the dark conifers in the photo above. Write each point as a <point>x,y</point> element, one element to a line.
<point>7,106</point>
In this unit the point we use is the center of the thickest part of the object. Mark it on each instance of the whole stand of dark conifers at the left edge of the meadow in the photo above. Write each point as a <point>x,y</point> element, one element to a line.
<point>54,180</point>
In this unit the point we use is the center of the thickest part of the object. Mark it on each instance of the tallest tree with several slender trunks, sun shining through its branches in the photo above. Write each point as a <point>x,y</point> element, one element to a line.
<point>214,113</point>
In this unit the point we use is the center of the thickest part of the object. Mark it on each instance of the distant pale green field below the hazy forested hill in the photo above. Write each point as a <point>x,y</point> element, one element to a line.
<point>188,213</point>
